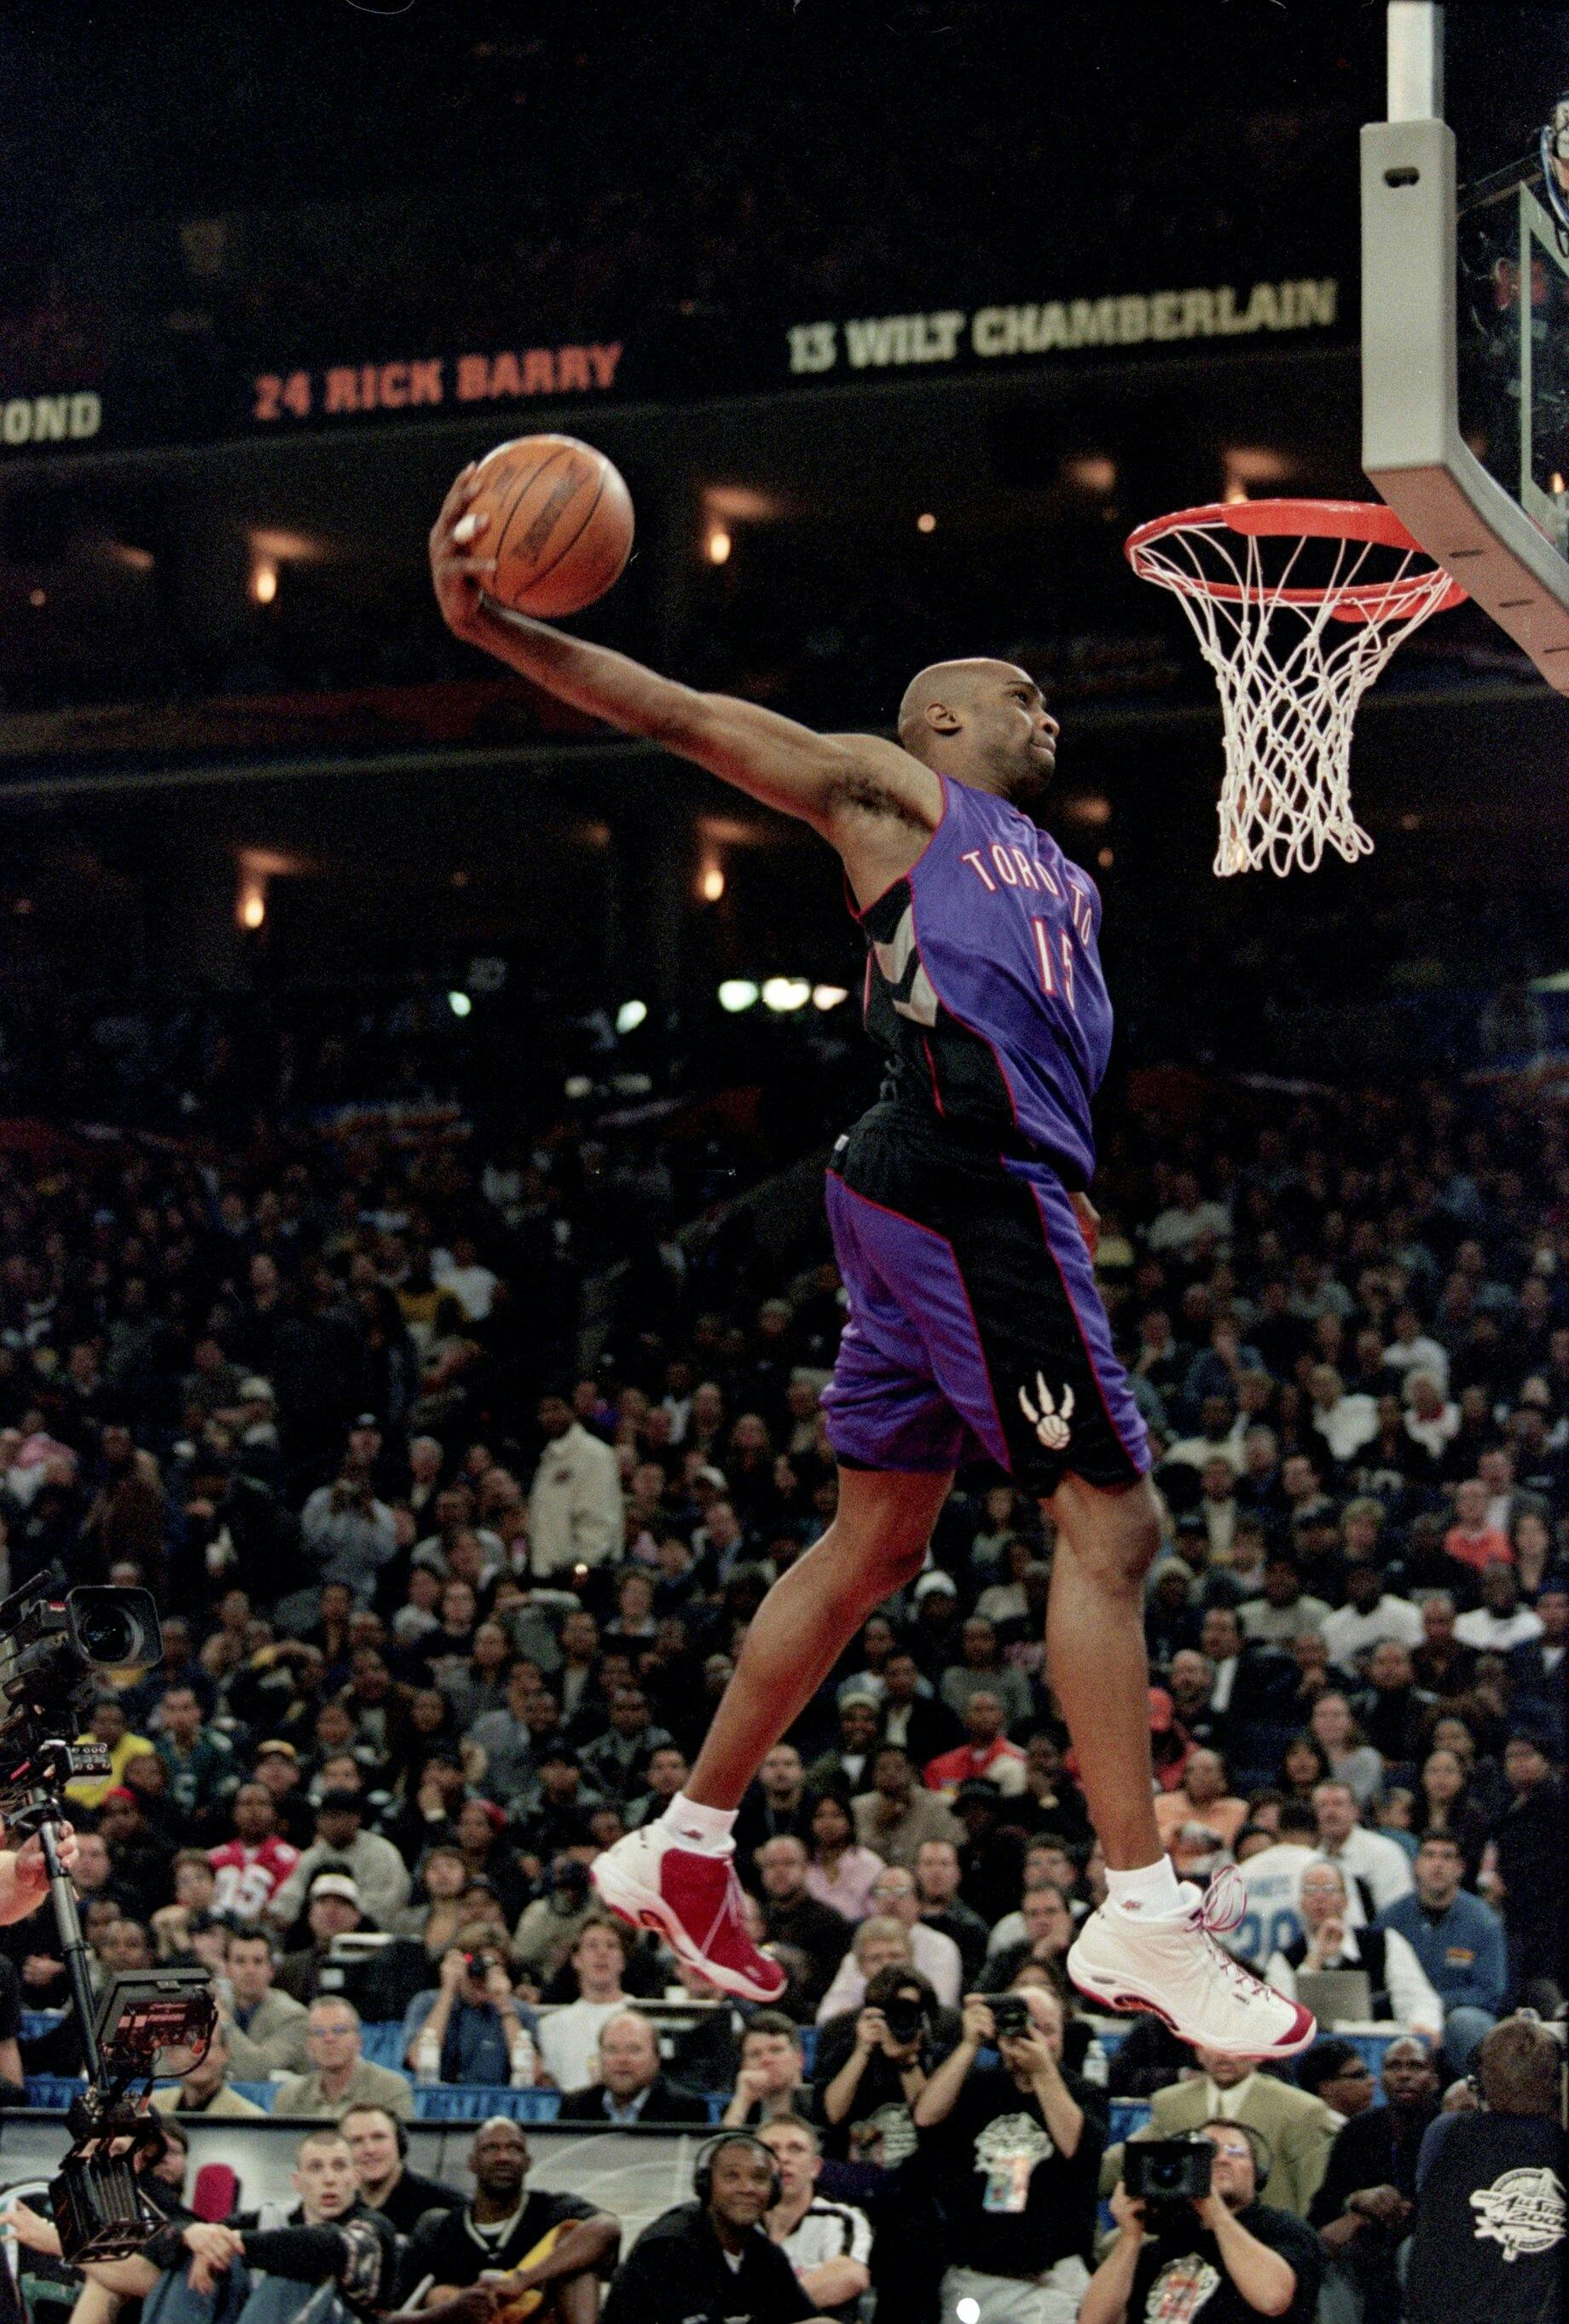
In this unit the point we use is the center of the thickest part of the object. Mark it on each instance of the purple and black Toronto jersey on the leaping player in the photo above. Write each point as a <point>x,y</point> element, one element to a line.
<point>984,984</point>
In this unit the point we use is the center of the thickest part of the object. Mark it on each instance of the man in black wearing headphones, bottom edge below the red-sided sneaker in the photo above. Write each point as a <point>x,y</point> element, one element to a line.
<point>712,2260</point>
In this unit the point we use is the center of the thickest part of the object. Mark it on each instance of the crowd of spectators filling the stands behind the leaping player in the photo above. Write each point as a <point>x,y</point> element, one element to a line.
<point>440,1630</point>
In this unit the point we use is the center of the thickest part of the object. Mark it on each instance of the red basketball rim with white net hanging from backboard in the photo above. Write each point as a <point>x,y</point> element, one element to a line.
<point>1296,605</point>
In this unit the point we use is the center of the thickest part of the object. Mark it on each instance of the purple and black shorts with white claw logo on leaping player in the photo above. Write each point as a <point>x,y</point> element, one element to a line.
<point>975,1321</point>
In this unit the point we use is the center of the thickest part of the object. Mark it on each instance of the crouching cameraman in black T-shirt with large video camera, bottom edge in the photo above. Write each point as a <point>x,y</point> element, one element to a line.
<point>1224,2253</point>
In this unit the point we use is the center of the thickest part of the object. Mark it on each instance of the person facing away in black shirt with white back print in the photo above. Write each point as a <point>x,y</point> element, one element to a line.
<point>1489,2190</point>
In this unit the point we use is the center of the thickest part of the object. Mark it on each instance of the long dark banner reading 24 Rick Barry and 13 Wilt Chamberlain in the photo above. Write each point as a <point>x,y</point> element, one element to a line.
<point>180,392</point>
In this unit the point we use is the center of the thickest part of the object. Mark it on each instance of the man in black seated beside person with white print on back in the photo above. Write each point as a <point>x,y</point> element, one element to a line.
<point>1368,2190</point>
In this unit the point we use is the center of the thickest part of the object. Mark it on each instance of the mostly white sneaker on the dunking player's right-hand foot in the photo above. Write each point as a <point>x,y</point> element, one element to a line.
<point>1177,1972</point>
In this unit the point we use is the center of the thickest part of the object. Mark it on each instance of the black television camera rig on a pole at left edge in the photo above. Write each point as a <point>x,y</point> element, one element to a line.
<point>150,2023</point>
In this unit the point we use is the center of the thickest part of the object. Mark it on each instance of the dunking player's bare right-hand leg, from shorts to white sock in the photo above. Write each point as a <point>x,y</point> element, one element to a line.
<point>1108,1540</point>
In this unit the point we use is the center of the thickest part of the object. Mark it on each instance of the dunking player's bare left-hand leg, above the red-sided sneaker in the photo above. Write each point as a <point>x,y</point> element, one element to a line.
<point>875,1544</point>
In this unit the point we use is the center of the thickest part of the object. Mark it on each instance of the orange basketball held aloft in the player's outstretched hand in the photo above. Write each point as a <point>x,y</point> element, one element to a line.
<point>561,524</point>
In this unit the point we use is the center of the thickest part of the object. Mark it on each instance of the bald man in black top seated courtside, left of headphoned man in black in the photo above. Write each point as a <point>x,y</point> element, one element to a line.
<point>547,2244</point>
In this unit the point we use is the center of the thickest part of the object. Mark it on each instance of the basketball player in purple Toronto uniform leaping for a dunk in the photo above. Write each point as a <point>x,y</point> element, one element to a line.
<point>966,1245</point>
